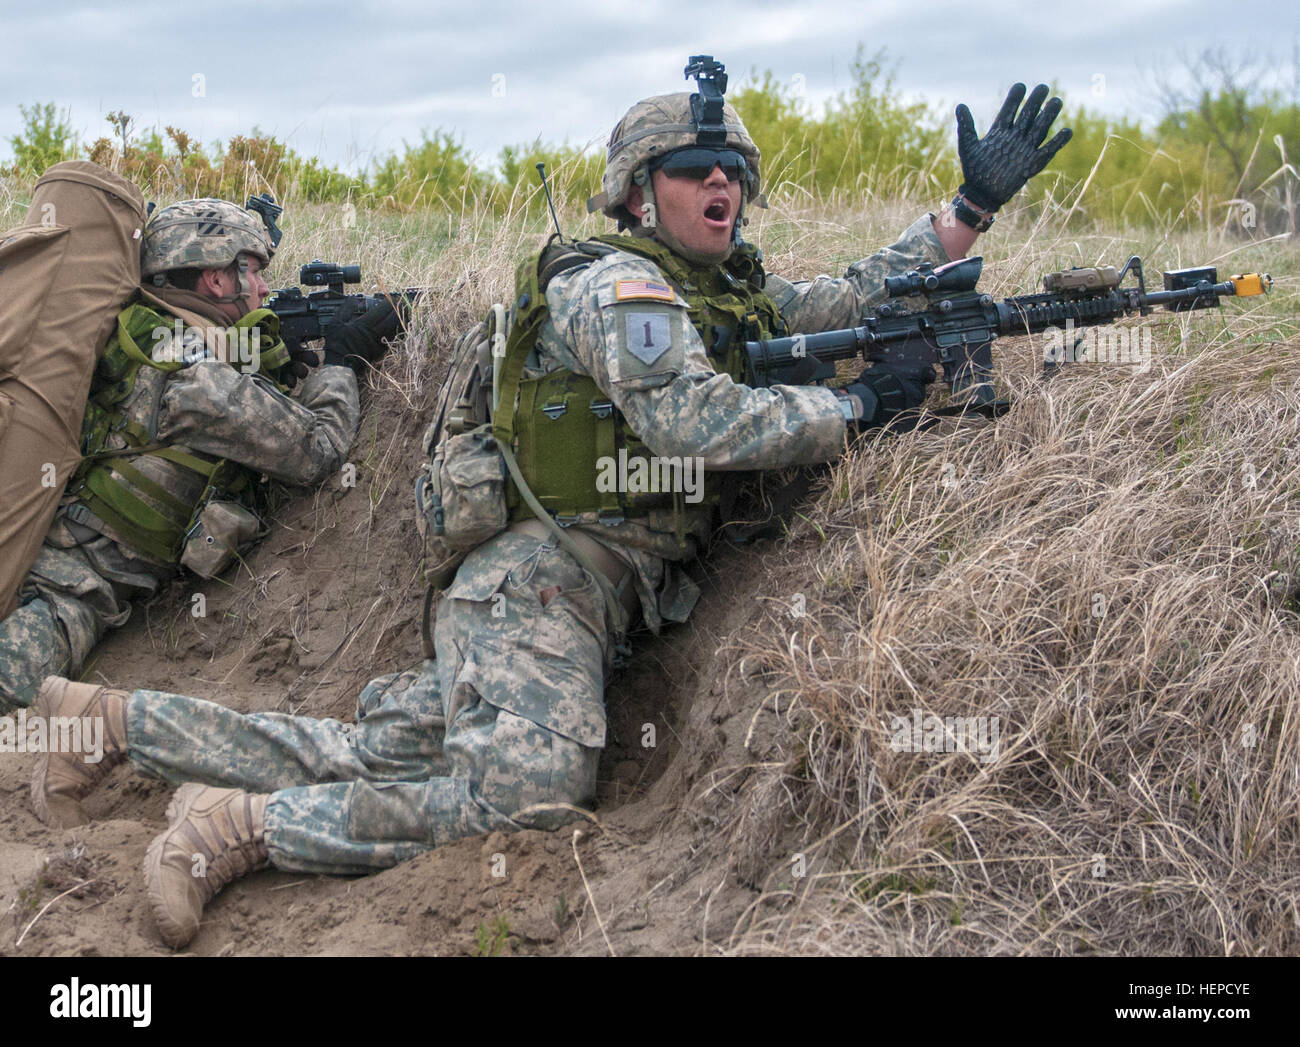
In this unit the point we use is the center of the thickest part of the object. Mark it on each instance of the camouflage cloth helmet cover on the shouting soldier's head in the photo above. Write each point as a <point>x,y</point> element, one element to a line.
<point>656,127</point>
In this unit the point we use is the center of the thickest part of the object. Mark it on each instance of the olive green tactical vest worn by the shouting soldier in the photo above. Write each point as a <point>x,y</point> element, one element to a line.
<point>564,423</point>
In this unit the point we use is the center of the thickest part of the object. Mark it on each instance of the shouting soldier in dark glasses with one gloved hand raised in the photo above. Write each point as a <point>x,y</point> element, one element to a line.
<point>504,728</point>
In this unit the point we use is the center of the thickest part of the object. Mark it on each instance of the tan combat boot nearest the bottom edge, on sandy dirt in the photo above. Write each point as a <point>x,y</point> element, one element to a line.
<point>214,837</point>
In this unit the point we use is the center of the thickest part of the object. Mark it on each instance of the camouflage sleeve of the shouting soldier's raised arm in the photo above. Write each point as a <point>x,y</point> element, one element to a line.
<point>829,304</point>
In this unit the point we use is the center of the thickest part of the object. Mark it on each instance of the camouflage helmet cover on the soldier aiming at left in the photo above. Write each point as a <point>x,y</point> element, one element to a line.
<point>202,235</point>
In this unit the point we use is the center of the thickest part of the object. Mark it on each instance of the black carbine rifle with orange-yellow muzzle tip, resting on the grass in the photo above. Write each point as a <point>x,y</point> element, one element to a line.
<point>957,325</point>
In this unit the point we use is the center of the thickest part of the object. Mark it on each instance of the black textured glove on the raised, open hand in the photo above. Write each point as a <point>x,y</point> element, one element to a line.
<point>996,166</point>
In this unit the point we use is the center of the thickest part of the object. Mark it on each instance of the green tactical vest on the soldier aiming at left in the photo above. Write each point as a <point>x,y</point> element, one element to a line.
<point>129,486</point>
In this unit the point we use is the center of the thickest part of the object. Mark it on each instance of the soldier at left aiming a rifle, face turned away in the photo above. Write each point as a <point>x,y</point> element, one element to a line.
<point>190,378</point>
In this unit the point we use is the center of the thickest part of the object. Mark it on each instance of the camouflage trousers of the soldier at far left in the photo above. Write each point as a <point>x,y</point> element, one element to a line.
<point>66,607</point>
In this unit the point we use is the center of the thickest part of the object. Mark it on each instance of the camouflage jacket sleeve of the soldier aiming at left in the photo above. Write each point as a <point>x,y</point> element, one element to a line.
<point>215,409</point>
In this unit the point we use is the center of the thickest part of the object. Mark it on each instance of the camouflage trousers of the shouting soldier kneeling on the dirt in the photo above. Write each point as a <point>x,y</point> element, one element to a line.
<point>509,716</point>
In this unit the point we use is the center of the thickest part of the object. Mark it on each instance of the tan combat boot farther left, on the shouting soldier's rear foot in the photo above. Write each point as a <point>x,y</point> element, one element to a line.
<point>62,781</point>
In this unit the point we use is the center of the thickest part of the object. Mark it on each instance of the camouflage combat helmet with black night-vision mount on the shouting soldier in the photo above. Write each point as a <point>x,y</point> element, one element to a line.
<point>660,126</point>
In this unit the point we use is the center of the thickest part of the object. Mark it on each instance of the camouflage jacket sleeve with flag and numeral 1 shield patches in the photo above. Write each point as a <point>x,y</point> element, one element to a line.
<point>648,358</point>
